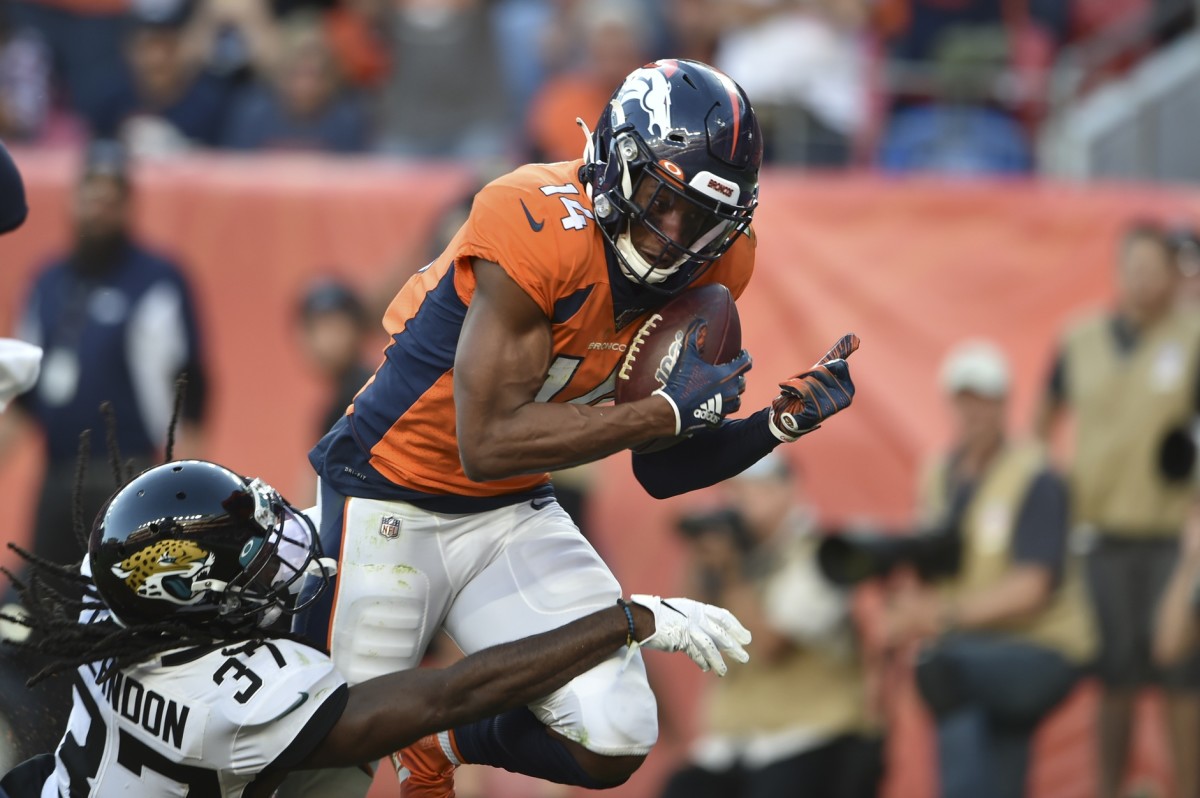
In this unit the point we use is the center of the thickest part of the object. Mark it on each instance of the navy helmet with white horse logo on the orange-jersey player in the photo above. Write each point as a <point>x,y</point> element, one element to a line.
<point>673,170</point>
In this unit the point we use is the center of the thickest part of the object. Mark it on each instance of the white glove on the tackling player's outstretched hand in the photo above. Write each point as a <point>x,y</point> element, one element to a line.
<point>700,631</point>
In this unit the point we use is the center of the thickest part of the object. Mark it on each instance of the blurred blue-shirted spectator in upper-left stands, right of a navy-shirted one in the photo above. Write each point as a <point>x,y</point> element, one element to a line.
<point>304,107</point>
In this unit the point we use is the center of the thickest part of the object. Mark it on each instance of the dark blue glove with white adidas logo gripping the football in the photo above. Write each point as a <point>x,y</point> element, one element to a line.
<point>701,394</point>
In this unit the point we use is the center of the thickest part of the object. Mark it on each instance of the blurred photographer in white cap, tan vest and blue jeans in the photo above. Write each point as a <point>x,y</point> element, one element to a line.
<point>1003,639</point>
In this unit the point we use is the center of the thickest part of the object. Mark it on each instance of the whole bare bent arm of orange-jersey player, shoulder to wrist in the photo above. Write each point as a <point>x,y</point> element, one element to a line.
<point>503,356</point>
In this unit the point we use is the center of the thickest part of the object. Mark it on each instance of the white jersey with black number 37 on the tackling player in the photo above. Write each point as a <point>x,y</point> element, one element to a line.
<point>196,723</point>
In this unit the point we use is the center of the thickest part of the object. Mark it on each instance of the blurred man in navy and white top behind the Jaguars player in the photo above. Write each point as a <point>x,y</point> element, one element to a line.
<point>118,325</point>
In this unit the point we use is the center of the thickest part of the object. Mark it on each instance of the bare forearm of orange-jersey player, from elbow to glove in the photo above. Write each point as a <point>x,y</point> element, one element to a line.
<point>544,436</point>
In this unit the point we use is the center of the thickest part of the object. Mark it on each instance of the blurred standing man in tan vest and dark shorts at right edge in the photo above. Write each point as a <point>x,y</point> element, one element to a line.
<point>1130,380</point>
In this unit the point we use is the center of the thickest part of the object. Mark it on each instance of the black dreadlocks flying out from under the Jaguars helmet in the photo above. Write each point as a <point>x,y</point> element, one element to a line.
<point>55,597</point>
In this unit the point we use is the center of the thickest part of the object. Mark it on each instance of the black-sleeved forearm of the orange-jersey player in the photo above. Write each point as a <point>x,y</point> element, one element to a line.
<point>706,459</point>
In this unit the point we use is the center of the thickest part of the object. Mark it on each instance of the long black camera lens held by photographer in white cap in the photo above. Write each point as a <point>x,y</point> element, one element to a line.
<point>851,557</point>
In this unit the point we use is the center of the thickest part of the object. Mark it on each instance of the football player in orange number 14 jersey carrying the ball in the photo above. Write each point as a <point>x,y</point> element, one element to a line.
<point>435,487</point>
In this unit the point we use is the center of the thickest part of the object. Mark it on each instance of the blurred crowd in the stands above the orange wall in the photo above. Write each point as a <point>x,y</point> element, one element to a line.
<point>953,86</point>
